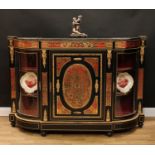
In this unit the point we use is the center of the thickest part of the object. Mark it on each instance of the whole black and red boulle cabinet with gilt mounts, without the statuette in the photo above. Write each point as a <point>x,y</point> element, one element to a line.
<point>77,84</point>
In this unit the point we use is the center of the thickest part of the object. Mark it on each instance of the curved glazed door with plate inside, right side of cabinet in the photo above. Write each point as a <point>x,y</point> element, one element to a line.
<point>125,77</point>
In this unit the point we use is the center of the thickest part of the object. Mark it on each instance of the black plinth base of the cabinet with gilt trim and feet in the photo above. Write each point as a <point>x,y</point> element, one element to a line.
<point>108,127</point>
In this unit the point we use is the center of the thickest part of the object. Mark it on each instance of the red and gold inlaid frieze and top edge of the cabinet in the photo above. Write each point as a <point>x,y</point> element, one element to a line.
<point>78,43</point>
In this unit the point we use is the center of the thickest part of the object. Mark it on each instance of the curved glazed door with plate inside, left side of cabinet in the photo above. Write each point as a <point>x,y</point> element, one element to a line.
<point>27,66</point>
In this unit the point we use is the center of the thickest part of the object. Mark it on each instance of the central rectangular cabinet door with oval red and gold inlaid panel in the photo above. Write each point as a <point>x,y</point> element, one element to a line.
<point>76,85</point>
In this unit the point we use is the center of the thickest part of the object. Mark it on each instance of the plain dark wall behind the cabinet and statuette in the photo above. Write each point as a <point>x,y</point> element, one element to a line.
<point>96,23</point>
